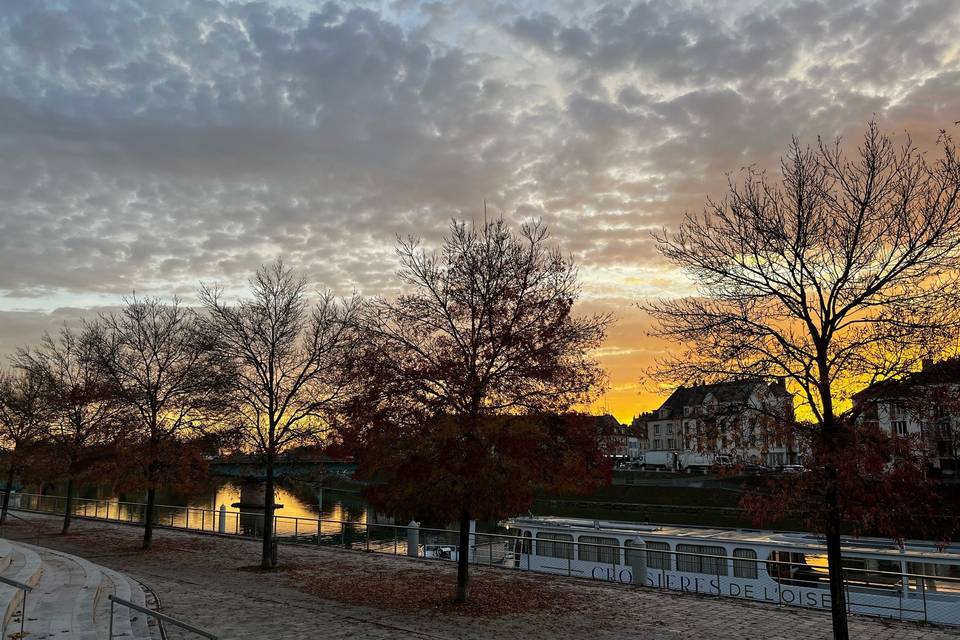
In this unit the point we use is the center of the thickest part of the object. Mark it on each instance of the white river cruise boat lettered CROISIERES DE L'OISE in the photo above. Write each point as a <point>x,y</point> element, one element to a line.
<point>918,581</point>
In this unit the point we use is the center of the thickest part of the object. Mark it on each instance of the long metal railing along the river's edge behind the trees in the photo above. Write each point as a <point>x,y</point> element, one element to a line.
<point>877,590</point>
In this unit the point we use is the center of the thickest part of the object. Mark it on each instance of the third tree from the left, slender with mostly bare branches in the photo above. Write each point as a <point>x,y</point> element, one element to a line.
<point>164,369</point>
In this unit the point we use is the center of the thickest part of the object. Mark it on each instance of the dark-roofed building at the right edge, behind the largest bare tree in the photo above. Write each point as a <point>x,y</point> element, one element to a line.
<point>924,404</point>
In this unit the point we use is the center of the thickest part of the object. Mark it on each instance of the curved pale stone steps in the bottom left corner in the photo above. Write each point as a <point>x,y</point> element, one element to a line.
<point>70,596</point>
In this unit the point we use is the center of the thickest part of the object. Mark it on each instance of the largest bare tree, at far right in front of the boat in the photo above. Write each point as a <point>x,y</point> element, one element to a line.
<point>842,272</point>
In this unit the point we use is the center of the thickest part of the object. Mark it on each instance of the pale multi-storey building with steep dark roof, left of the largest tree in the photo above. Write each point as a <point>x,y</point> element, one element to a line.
<point>747,420</point>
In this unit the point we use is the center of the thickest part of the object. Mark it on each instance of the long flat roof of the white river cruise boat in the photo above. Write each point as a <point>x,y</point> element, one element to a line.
<point>794,540</point>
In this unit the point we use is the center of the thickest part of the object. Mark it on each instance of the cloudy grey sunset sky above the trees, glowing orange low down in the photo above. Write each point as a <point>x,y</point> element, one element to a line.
<point>147,146</point>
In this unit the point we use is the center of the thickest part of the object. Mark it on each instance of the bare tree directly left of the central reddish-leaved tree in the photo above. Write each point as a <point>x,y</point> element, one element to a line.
<point>289,357</point>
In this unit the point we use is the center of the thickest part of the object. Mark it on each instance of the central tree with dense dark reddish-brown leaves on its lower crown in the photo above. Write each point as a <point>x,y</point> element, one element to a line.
<point>459,370</point>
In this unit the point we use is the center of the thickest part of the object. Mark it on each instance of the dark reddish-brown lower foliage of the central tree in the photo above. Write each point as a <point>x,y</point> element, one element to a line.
<point>430,473</point>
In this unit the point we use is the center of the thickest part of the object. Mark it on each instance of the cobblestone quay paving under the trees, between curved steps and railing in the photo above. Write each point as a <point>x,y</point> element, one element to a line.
<point>203,579</point>
